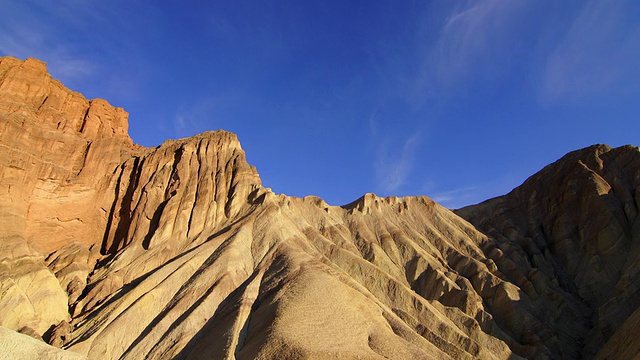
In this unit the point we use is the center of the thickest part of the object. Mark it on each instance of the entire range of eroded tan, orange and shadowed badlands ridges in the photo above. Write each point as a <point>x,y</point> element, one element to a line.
<point>110,250</point>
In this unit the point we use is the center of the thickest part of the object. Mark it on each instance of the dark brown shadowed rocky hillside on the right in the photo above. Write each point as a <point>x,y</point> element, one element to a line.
<point>575,222</point>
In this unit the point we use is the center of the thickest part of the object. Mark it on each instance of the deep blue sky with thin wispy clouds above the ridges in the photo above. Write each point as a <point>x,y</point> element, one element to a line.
<point>457,100</point>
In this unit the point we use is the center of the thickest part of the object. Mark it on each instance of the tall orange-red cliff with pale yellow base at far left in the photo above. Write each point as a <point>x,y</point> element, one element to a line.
<point>51,197</point>
